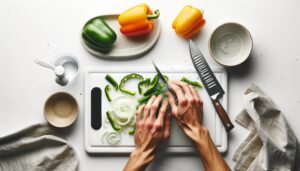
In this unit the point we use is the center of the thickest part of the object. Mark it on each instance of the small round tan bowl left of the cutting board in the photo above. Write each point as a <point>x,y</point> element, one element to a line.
<point>61,109</point>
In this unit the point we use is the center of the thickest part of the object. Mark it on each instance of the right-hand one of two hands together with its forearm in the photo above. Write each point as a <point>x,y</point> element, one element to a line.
<point>189,115</point>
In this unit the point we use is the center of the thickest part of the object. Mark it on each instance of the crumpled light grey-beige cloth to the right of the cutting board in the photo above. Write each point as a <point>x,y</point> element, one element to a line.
<point>271,144</point>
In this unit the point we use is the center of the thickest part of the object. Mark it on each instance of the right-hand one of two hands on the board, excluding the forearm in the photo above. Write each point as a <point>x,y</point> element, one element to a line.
<point>189,110</point>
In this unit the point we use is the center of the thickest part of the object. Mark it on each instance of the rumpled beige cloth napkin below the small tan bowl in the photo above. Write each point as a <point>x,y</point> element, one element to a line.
<point>36,148</point>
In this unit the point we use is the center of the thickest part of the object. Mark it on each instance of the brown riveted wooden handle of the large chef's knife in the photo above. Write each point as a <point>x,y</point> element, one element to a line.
<point>223,115</point>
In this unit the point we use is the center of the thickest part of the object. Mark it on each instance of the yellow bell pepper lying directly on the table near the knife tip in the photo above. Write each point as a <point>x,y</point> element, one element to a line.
<point>188,22</point>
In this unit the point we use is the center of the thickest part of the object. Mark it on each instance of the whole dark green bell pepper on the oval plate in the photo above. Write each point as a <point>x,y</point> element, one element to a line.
<point>98,35</point>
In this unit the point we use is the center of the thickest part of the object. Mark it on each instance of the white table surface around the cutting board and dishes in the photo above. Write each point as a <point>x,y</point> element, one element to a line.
<point>43,29</point>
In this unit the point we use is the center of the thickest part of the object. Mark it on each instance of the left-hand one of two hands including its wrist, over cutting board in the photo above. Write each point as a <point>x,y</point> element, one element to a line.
<point>151,132</point>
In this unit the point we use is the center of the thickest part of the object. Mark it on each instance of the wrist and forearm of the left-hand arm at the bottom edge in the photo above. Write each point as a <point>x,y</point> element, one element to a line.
<point>138,161</point>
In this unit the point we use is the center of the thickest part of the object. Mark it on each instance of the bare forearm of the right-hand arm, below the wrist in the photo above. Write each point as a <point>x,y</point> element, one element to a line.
<point>212,159</point>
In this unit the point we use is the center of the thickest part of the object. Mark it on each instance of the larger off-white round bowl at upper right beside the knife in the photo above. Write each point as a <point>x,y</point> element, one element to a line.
<point>230,44</point>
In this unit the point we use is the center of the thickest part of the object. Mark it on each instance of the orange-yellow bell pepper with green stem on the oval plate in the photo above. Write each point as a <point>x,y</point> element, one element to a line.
<point>137,20</point>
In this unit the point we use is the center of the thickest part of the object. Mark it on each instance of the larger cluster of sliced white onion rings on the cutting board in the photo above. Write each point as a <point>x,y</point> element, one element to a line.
<point>124,108</point>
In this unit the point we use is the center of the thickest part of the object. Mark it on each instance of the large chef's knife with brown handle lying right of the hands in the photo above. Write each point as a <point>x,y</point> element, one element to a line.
<point>210,83</point>
